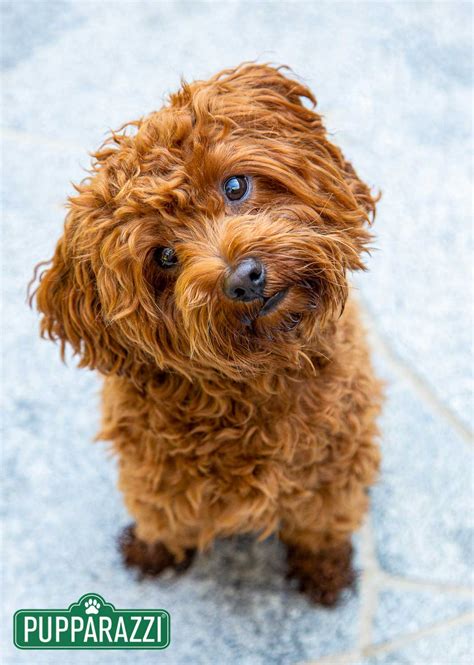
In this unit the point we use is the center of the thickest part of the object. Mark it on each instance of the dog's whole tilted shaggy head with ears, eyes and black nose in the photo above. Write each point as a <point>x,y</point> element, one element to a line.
<point>217,237</point>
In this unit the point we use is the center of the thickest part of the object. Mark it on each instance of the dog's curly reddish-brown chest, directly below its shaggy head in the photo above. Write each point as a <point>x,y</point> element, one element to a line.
<point>216,458</point>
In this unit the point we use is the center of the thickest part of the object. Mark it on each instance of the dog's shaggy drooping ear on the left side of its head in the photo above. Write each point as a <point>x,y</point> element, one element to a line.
<point>67,294</point>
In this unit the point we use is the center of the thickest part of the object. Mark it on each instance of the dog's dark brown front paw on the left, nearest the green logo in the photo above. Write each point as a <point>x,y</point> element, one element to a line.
<point>152,559</point>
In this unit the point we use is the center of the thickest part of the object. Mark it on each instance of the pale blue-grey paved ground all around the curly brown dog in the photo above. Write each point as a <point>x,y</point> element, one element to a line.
<point>393,81</point>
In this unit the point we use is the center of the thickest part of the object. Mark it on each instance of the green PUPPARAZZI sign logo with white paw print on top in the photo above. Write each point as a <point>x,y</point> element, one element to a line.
<point>91,623</point>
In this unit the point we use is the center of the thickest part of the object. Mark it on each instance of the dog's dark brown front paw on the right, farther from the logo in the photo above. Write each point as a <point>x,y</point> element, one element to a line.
<point>322,575</point>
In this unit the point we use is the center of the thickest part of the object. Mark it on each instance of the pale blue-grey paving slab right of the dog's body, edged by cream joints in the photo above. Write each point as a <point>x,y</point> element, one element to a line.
<point>423,519</point>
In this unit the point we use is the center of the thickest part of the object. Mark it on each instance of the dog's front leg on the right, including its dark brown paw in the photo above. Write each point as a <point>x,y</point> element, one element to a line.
<point>317,532</point>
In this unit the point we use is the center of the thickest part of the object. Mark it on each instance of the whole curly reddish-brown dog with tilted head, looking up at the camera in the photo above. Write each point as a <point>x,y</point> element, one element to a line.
<point>203,271</point>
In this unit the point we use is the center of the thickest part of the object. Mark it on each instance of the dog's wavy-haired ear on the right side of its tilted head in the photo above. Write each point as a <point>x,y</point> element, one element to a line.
<point>324,180</point>
